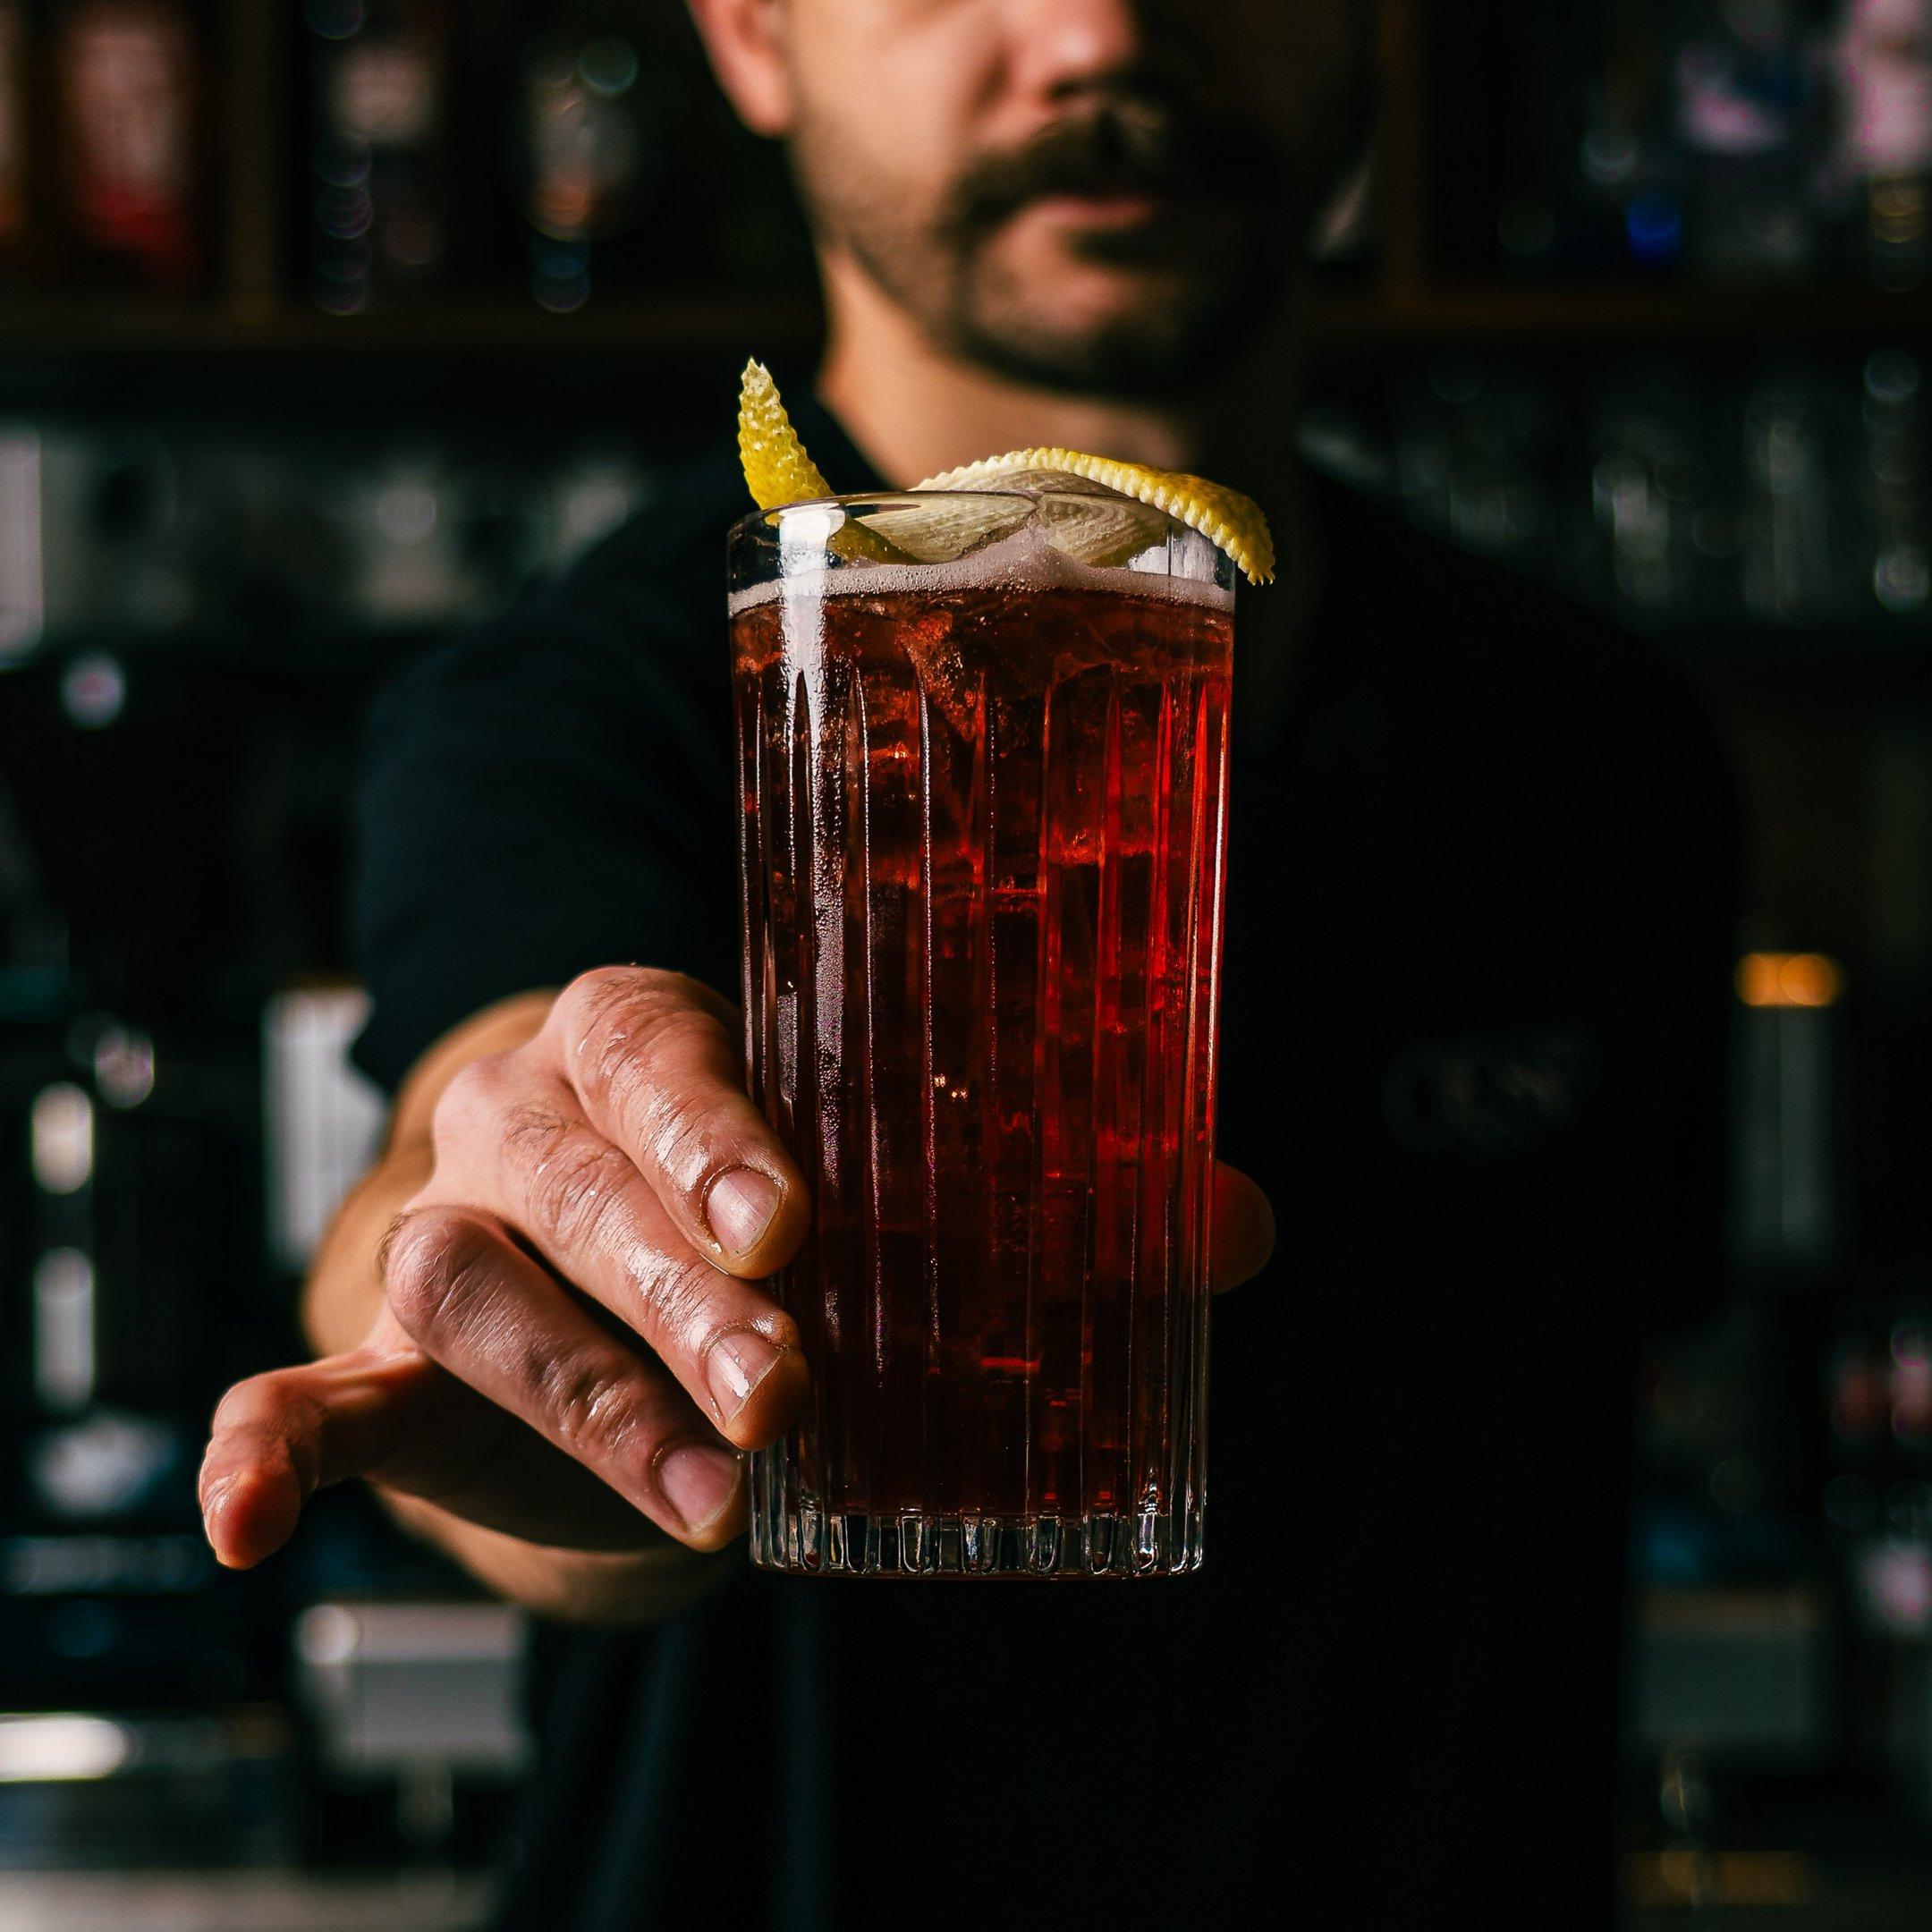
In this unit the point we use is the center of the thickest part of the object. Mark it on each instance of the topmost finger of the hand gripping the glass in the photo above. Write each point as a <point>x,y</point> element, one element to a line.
<point>656,1065</point>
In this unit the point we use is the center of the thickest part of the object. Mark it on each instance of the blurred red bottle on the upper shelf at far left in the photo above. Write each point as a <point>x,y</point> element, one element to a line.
<point>130,96</point>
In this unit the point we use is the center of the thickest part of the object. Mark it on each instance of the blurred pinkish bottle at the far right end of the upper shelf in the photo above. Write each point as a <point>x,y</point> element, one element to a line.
<point>1883,63</point>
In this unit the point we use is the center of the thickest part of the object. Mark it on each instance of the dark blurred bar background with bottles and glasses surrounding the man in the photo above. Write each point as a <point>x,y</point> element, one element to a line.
<point>326,327</point>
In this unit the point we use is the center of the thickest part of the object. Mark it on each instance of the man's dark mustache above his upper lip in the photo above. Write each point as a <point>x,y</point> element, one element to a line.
<point>1131,146</point>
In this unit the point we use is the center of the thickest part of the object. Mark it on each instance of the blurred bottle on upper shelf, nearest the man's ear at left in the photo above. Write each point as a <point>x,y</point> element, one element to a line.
<point>590,144</point>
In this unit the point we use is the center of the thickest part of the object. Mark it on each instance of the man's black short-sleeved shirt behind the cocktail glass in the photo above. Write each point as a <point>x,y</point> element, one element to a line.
<point>1473,1035</point>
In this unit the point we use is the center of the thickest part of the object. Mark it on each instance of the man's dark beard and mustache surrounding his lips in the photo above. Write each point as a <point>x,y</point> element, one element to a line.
<point>1212,268</point>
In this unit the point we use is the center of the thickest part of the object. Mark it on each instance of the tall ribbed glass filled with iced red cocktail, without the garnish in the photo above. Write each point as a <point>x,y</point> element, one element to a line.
<point>984,824</point>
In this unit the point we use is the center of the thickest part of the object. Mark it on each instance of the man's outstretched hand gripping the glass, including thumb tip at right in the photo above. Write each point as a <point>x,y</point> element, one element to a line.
<point>575,1344</point>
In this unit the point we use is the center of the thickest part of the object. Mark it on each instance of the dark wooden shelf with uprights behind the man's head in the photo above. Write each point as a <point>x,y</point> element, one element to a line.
<point>256,320</point>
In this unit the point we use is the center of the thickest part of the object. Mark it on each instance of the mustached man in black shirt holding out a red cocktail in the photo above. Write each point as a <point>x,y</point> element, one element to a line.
<point>1475,996</point>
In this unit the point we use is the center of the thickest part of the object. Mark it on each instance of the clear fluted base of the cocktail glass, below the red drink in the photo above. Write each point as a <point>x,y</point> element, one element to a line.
<point>810,1543</point>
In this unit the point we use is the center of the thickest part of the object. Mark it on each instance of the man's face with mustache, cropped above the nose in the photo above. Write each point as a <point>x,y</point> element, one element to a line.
<point>1094,194</point>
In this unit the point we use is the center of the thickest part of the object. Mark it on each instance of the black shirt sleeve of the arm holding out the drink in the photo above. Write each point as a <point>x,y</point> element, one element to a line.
<point>546,797</point>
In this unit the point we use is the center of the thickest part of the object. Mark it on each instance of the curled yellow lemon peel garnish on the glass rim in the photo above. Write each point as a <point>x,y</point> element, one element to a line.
<point>1118,519</point>
